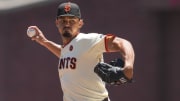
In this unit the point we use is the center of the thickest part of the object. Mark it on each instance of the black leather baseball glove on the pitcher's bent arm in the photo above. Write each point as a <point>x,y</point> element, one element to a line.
<point>112,73</point>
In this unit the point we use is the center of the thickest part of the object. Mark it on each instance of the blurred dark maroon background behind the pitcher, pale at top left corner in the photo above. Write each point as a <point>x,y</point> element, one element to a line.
<point>28,72</point>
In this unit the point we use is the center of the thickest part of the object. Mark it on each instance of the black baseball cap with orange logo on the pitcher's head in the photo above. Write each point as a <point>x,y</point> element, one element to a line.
<point>68,9</point>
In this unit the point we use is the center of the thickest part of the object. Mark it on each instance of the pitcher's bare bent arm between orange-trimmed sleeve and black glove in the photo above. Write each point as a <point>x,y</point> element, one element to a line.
<point>127,52</point>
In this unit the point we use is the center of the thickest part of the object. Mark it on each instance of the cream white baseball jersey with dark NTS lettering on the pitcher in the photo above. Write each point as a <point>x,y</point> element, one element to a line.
<point>76,68</point>
